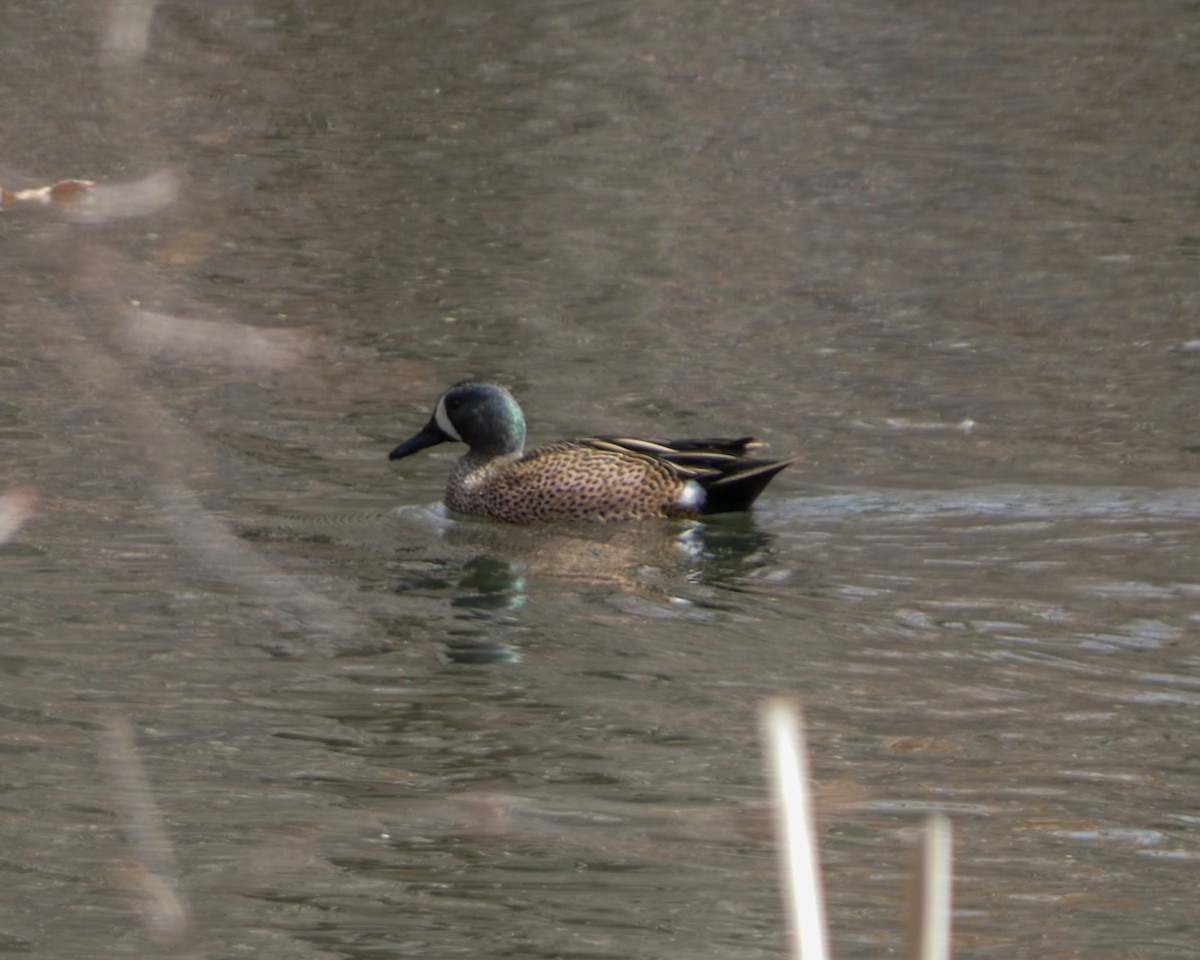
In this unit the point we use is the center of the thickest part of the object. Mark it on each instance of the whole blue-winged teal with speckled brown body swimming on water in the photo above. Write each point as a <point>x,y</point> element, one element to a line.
<point>592,478</point>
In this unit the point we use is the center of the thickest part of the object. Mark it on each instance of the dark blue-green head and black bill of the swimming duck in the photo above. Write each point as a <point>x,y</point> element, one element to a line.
<point>483,416</point>
